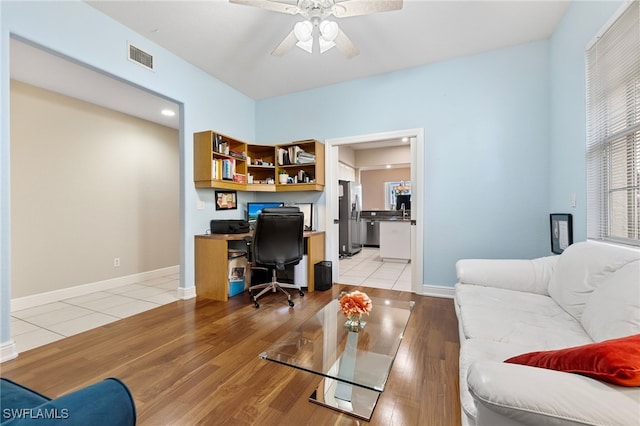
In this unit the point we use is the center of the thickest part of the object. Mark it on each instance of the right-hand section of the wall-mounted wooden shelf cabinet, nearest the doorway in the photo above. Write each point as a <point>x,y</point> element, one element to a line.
<point>303,161</point>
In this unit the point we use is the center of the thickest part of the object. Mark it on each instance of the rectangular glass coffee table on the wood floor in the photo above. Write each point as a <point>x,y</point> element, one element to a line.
<point>354,365</point>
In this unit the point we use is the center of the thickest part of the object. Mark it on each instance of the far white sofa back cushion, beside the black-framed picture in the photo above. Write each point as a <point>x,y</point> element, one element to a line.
<point>581,269</point>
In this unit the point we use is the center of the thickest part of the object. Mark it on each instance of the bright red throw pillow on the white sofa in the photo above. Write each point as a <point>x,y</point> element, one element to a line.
<point>615,361</point>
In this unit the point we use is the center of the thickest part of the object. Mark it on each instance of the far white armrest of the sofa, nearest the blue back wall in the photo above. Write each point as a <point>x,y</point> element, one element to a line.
<point>513,274</point>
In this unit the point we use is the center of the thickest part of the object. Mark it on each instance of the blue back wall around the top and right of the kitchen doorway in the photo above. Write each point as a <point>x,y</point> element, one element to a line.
<point>486,146</point>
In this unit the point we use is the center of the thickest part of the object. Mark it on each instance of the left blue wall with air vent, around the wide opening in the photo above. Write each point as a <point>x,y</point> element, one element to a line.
<point>83,34</point>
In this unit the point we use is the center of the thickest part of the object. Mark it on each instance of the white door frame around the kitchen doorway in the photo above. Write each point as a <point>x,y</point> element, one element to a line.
<point>416,138</point>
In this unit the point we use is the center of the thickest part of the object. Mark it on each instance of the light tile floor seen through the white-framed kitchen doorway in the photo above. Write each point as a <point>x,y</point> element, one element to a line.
<point>367,269</point>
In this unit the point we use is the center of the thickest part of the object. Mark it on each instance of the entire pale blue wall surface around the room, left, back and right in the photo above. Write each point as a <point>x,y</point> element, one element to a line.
<point>504,131</point>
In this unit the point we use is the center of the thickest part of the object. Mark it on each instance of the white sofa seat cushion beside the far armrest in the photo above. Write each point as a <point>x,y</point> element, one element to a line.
<point>516,317</point>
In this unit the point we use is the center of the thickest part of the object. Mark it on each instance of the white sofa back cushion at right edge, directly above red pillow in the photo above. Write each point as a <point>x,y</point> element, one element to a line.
<point>613,310</point>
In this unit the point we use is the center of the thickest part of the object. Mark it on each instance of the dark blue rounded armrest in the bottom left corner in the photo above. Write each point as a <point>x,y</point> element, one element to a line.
<point>106,403</point>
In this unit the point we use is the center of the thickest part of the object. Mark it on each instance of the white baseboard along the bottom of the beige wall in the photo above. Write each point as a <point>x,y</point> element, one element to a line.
<point>80,290</point>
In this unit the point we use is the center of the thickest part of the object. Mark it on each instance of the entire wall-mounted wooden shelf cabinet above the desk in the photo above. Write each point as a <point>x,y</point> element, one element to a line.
<point>220,161</point>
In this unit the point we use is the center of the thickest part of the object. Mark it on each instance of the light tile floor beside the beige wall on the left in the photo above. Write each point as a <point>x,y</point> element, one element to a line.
<point>44,324</point>
